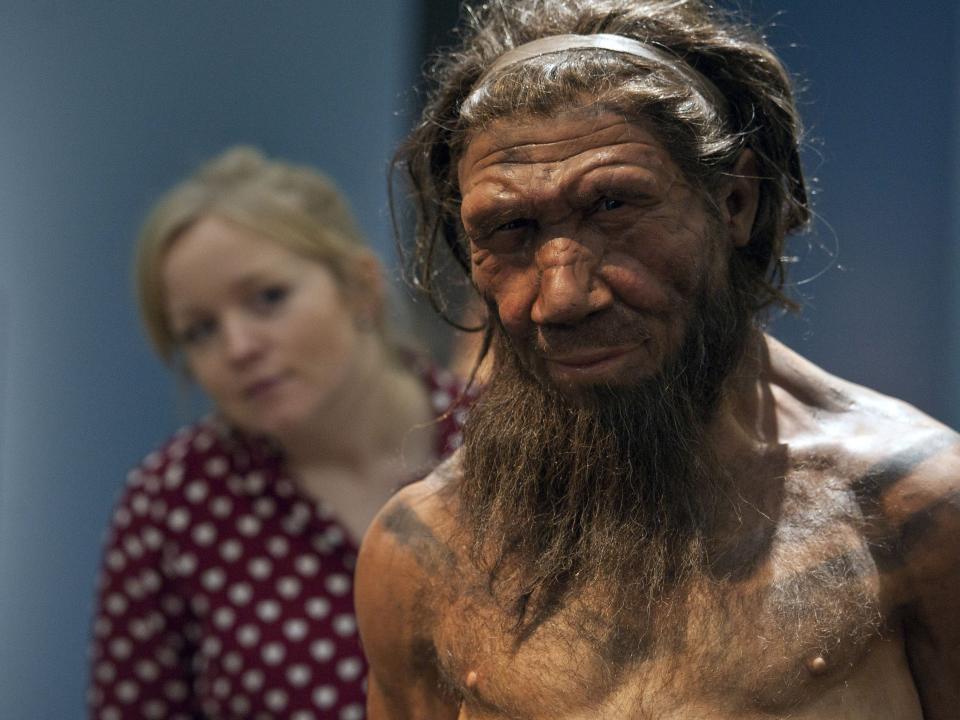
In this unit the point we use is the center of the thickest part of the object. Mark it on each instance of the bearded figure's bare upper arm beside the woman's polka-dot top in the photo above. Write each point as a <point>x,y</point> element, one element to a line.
<point>397,576</point>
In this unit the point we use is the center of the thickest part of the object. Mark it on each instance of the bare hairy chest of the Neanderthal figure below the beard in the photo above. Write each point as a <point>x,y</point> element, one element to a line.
<point>804,621</point>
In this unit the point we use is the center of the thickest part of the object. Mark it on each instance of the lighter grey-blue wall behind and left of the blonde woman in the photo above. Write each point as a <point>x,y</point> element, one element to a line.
<point>105,104</point>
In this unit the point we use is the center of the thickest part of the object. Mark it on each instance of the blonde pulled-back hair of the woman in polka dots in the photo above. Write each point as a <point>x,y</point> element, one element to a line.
<point>297,207</point>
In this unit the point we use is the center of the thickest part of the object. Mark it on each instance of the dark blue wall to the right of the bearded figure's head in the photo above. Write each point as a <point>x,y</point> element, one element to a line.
<point>880,87</point>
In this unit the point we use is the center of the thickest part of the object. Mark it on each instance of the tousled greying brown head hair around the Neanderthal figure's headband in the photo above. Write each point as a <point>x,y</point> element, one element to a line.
<point>757,113</point>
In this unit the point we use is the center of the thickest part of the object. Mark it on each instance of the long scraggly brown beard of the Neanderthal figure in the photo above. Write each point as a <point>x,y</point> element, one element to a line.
<point>610,488</point>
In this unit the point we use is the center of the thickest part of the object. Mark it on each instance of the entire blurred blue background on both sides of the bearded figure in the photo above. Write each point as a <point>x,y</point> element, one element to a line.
<point>103,105</point>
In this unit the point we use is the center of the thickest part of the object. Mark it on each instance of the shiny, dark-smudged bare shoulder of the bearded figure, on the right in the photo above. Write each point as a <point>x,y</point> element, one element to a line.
<point>902,465</point>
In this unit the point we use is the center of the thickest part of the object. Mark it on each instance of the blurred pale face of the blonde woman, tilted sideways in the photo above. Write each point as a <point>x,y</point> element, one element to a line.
<point>266,332</point>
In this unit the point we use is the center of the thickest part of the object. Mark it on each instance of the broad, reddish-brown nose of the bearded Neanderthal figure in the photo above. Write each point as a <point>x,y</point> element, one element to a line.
<point>569,286</point>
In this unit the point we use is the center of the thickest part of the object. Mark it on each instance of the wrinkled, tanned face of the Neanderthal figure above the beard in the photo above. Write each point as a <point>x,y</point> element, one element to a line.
<point>590,243</point>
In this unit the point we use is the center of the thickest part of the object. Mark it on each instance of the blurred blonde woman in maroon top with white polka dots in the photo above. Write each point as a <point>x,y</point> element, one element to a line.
<point>226,588</point>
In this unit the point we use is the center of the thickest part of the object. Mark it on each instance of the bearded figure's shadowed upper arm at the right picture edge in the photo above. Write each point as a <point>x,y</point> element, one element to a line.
<point>928,537</point>
